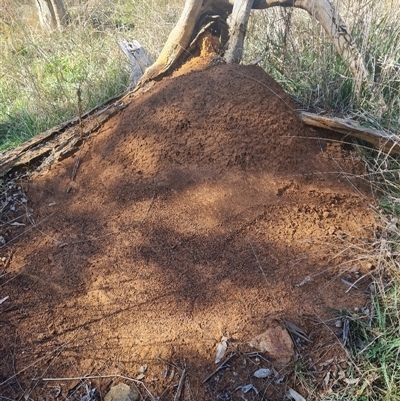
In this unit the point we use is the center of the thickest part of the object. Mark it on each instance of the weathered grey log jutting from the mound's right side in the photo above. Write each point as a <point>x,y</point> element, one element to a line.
<point>381,140</point>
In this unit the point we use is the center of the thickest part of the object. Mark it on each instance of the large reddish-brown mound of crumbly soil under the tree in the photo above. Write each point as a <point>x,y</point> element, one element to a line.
<point>203,209</point>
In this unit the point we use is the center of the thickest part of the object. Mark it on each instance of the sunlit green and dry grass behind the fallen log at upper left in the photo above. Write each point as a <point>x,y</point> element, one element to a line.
<point>40,73</point>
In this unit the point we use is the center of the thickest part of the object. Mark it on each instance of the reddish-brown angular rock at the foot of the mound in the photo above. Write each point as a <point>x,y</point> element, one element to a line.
<point>276,342</point>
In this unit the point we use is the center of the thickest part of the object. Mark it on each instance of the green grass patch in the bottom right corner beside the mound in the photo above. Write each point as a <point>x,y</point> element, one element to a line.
<point>375,350</point>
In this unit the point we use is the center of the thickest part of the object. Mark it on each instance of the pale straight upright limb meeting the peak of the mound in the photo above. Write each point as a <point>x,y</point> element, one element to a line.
<point>237,22</point>
